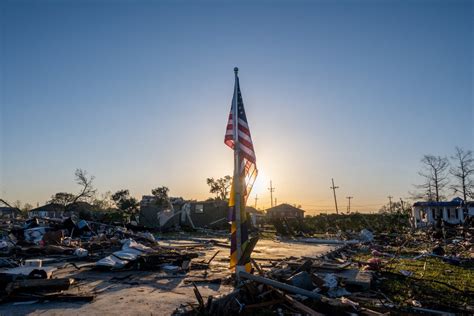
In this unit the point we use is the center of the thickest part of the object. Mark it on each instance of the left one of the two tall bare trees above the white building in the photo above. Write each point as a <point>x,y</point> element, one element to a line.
<point>435,175</point>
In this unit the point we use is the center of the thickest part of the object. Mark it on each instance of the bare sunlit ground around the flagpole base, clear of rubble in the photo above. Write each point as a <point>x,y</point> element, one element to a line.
<point>157,292</point>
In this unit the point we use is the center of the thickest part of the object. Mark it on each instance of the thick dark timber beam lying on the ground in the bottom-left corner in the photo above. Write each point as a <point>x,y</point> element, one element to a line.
<point>40,285</point>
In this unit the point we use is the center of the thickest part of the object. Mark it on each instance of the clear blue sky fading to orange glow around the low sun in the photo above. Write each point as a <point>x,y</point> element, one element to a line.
<point>138,93</point>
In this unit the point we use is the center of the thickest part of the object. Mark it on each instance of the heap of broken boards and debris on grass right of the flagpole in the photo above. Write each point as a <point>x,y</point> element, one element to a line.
<point>360,278</point>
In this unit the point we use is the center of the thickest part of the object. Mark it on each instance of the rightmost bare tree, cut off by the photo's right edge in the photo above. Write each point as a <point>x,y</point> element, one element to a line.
<point>462,171</point>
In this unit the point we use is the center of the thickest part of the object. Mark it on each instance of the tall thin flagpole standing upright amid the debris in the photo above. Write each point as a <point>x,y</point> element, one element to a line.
<point>237,181</point>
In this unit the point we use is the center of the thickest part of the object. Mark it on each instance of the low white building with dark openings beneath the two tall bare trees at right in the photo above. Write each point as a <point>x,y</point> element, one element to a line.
<point>452,212</point>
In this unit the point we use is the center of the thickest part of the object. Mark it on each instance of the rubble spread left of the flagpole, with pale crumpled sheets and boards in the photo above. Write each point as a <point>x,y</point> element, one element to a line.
<point>34,252</point>
